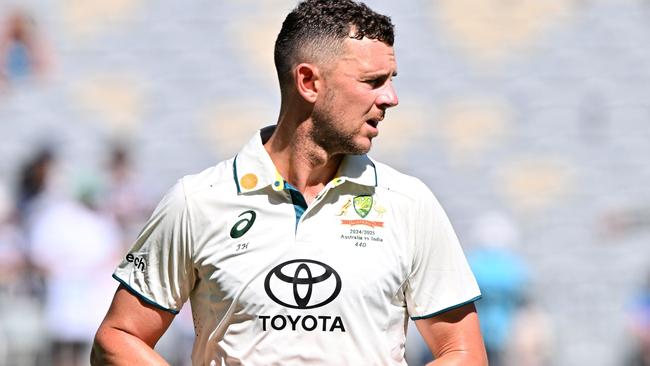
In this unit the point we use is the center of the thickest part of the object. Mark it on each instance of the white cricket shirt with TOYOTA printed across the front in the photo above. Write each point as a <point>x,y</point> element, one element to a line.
<point>274,282</point>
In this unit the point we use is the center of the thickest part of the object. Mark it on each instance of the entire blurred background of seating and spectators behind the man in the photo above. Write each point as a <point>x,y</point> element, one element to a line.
<point>530,120</point>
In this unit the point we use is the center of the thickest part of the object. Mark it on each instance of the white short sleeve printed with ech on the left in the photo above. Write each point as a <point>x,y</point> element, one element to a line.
<point>158,268</point>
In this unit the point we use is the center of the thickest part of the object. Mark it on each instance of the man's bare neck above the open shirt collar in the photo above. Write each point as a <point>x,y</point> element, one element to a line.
<point>300,161</point>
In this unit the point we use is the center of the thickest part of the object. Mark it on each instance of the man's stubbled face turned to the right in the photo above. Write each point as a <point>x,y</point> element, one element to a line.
<point>357,89</point>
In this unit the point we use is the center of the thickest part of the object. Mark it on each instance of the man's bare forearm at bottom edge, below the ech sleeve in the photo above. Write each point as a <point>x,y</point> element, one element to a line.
<point>116,347</point>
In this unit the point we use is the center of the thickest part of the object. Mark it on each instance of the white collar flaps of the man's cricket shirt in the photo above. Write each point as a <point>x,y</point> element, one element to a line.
<point>254,169</point>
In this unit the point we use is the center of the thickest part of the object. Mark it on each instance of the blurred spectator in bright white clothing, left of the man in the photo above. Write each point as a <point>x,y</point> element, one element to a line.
<point>76,245</point>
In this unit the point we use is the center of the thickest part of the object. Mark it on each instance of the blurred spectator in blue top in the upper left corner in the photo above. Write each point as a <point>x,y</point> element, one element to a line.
<point>23,52</point>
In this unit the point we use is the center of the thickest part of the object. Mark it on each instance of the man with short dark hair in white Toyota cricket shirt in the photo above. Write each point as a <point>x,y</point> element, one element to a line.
<point>301,249</point>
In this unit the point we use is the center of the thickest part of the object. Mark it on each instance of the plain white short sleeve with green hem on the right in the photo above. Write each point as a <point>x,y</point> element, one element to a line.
<point>440,278</point>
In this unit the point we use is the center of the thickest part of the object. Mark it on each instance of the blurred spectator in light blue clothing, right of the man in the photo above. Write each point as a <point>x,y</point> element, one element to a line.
<point>502,276</point>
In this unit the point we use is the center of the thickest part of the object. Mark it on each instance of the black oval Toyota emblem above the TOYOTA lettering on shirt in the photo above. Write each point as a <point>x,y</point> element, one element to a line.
<point>302,284</point>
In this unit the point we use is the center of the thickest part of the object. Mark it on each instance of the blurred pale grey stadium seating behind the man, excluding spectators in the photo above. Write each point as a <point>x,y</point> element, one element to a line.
<point>537,109</point>
